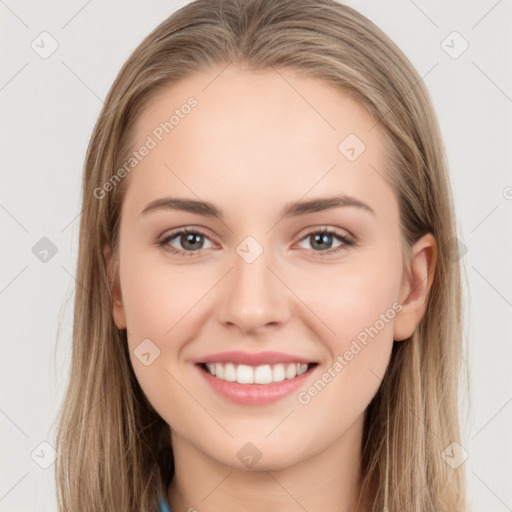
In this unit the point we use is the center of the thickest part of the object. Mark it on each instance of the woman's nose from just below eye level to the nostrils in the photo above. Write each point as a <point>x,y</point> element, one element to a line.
<point>253,297</point>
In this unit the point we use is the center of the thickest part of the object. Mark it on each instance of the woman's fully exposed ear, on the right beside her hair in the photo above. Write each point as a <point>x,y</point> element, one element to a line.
<point>415,288</point>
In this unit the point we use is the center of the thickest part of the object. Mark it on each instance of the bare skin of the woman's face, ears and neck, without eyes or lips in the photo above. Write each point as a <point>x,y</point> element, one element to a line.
<point>253,144</point>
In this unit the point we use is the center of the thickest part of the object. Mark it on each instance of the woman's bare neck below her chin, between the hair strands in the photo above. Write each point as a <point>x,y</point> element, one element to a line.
<point>329,480</point>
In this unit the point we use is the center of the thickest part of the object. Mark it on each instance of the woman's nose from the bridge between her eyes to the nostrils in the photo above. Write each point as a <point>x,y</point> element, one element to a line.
<point>253,297</point>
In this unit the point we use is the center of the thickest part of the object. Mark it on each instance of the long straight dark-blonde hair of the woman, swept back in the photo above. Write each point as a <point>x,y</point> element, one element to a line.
<point>114,451</point>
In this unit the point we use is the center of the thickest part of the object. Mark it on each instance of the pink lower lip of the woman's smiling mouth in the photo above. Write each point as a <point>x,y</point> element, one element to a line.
<point>255,394</point>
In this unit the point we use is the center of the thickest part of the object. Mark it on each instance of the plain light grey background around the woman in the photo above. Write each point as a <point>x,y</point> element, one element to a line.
<point>50,103</point>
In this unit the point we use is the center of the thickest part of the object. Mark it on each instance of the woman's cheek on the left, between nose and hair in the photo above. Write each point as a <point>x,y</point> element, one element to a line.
<point>162,303</point>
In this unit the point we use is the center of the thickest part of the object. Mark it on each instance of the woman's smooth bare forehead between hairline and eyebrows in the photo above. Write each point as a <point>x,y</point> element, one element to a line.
<point>259,136</point>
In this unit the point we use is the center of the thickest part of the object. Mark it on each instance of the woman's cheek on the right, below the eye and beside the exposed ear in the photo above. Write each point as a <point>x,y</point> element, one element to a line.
<point>358,305</point>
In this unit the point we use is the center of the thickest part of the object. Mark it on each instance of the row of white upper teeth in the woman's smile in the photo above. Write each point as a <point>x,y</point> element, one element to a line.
<point>264,374</point>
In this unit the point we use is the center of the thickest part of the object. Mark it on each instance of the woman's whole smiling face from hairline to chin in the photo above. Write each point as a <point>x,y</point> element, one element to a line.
<point>269,278</point>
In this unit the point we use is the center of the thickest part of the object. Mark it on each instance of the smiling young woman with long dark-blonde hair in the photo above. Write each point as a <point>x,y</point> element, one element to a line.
<point>269,316</point>
